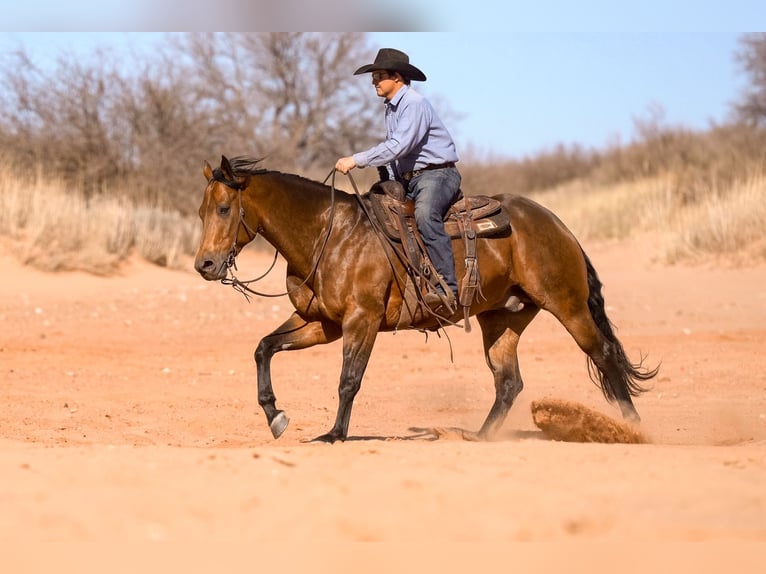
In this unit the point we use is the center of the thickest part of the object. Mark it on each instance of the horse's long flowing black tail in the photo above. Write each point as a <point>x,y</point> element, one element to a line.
<point>620,378</point>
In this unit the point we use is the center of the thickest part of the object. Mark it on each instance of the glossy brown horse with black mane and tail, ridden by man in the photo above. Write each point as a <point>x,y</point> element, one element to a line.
<point>344,282</point>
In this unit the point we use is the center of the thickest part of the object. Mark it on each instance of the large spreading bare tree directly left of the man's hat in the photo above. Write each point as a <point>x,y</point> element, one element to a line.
<point>288,96</point>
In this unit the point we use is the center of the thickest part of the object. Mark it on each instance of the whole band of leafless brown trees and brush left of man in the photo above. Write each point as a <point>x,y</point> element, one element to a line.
<point>144,125</point>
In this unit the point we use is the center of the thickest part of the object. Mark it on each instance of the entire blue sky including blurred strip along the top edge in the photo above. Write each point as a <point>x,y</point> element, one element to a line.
<point>513,78</point>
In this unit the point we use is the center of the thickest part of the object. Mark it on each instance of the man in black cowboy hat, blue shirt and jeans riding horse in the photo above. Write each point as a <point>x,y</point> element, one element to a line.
<point>419,152</point>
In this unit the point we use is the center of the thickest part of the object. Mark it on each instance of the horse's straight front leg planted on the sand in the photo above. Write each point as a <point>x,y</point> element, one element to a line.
<point>359,333</point>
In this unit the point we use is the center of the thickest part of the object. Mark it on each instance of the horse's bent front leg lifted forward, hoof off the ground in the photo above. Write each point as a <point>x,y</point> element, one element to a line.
<point>295,333</point>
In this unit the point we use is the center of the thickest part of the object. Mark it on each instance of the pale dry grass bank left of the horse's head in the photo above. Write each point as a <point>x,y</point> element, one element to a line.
<point>56,229</point>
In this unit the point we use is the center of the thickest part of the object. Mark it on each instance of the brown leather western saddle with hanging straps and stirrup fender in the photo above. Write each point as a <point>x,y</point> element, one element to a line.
<point>469,218</point>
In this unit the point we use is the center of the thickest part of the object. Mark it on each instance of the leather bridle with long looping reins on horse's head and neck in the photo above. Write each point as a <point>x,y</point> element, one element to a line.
<point>230,263</point>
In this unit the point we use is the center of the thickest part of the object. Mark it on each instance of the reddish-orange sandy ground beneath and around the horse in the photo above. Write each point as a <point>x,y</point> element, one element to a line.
<point>130,431</point>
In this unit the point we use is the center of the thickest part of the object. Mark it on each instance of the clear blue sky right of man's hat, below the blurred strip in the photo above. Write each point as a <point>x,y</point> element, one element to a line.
<point>518,94</point>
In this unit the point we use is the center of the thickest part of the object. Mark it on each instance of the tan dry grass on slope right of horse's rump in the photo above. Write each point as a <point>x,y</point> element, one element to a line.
<point>701,223</point>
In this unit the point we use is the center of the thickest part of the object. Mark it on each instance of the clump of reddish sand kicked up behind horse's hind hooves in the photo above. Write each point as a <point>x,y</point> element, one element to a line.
<point>572,422</point>
